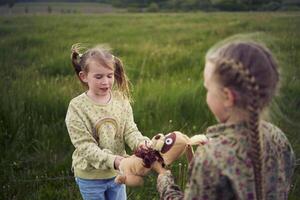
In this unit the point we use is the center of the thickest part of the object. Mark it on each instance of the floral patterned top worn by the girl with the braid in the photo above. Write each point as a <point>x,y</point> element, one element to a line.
<point>222,168</point>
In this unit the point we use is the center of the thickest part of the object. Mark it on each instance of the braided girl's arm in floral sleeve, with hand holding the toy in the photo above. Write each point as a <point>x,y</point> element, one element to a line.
<point>205,181</point>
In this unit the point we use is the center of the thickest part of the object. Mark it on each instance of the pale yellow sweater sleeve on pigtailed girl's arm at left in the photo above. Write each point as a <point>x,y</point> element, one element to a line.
<point>85,143</point>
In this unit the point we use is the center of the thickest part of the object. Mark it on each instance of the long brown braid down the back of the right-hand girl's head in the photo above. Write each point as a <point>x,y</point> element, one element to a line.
<point>243,76</point>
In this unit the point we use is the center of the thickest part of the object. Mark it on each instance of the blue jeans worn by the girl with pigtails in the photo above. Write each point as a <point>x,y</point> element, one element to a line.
<point>101,189</point>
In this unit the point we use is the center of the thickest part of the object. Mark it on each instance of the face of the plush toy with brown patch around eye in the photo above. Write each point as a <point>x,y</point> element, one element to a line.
<point>170,146</point>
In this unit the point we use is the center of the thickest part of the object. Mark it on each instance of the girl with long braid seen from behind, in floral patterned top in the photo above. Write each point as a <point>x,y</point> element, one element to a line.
<point>246,157</point>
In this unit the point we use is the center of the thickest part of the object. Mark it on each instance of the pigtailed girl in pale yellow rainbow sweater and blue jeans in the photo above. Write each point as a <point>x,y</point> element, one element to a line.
<point>100,122</point>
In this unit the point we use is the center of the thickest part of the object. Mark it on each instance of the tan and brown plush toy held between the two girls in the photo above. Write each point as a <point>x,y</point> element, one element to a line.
<point>164,149</point>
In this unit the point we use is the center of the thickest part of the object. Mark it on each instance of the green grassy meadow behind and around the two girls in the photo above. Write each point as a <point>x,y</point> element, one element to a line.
<point>164,58</point>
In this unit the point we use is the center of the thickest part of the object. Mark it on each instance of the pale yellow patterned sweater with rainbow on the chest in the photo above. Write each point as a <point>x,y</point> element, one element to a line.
<point>99,133</point>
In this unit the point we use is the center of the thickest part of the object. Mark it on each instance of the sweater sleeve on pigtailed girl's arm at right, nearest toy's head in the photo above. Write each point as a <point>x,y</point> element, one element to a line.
<point>133,136</point>
